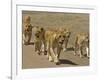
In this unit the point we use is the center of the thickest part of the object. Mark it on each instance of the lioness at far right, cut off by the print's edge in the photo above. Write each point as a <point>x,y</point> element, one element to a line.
<point>82,42</point>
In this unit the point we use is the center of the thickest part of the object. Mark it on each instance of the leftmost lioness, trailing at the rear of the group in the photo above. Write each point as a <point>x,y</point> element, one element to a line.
<point>27,34</point>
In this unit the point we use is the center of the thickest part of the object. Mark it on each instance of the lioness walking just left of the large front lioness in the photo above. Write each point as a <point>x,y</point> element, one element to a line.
<point>39,39</point>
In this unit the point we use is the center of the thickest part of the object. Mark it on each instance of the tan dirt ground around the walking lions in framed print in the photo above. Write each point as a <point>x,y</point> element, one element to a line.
<point>76,22</point>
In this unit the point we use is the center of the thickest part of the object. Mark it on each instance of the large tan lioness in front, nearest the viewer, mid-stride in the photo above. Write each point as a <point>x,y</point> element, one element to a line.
<point>54,40</point>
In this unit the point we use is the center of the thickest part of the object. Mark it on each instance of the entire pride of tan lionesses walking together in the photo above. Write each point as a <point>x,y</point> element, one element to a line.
<point>52,41</point>
